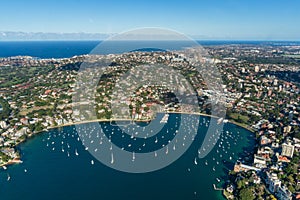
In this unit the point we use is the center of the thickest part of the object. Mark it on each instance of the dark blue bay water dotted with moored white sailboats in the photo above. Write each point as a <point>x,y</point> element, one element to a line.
<point>63,166</point>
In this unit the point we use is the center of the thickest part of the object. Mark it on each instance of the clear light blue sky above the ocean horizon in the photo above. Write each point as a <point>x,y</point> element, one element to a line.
<point>201,19</point>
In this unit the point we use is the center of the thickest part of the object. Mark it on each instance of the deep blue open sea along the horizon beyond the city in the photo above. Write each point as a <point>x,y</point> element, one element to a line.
<point>65,49</point>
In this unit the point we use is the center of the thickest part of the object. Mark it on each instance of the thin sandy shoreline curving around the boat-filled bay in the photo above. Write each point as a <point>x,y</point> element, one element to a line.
<point>18,160</point>
